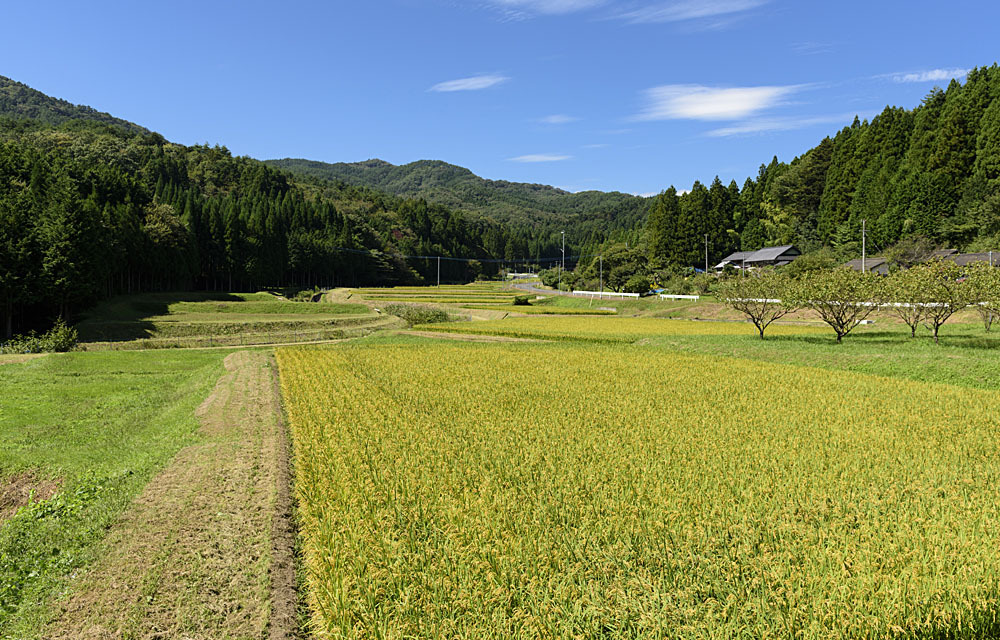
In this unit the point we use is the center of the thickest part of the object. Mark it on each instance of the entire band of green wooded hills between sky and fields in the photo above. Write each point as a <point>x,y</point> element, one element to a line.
<point>92,206</point>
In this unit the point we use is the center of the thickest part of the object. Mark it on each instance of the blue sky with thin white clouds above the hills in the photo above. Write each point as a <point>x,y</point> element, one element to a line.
<point>632,95</point>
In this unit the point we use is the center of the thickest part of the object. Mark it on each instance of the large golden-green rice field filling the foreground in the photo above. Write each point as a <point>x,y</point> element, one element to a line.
<point>582,490</point>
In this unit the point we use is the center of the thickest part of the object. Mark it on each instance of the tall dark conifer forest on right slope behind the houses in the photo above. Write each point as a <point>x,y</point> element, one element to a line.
<point>932,172</point>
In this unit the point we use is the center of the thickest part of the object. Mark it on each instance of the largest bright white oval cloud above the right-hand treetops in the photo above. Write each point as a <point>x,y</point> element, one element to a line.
<point>697,102</point>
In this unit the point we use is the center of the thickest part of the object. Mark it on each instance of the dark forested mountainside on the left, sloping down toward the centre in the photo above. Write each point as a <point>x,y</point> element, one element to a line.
<point>91,206</point>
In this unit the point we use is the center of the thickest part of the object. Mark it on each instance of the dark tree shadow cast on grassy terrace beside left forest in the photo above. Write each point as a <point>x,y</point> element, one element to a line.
<point>123,317</point>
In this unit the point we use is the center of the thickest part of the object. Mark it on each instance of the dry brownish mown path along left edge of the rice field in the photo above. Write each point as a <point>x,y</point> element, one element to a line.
<point>206,551</point>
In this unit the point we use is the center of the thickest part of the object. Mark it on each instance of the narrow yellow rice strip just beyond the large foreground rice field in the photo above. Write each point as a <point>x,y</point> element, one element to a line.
<point>611,329</point>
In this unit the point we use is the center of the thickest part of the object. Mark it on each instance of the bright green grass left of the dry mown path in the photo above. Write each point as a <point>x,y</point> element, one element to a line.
<point>102,425</point>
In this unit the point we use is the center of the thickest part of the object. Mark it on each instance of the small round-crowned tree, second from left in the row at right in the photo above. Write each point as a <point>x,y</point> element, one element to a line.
<point>842,297</point>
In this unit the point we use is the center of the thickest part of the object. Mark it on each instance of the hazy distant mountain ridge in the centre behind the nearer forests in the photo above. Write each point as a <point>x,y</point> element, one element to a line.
<point>459,188</point>
